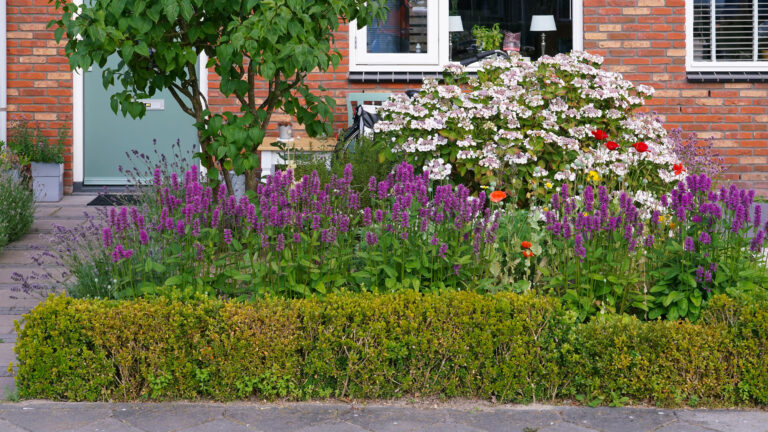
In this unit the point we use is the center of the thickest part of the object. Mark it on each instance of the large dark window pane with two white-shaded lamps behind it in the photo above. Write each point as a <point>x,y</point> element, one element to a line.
<point>512,17</point>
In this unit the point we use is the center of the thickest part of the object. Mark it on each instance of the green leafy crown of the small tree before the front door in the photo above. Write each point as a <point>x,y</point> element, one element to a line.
<point>275,41</point>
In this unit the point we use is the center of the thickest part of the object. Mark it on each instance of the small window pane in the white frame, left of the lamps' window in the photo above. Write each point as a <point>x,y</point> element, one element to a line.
<point>403,31</point>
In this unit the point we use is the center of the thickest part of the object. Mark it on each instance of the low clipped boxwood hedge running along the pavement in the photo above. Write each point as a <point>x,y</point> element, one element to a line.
<point>514,348</point>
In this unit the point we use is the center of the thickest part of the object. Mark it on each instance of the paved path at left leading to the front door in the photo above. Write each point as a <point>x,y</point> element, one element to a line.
<point>15,257</point>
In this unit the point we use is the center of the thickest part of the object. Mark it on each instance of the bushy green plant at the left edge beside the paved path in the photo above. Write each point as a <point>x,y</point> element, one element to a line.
<point>17,210</point>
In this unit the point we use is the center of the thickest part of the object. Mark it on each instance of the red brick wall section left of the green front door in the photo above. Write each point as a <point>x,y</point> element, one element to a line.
<point>39,79</point>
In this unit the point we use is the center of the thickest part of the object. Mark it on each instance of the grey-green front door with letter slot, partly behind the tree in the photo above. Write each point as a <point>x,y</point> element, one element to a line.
<point>108,136</point>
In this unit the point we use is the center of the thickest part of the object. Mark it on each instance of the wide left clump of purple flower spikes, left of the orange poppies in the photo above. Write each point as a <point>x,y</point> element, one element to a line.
<point>297,239</point>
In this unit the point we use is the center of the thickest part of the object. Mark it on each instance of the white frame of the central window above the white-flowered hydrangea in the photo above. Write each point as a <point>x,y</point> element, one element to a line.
<point>359,61</point>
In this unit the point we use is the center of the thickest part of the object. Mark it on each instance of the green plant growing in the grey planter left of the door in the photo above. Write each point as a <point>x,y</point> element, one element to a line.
<point>28,144</point>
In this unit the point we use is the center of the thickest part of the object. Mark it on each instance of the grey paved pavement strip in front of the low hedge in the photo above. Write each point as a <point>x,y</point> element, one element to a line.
<point>313,417</point>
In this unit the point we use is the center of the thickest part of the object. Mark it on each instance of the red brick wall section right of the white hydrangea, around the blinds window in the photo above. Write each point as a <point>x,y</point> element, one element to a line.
<point>645,40</point>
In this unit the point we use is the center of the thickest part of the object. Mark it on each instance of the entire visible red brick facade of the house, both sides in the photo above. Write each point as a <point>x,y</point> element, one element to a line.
<point>643,39</point>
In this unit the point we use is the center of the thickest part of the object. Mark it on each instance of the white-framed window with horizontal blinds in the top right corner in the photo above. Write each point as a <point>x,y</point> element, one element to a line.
<point>727,35</point>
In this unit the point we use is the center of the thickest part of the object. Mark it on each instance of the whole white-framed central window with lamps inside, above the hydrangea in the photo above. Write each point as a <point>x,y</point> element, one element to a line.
<point>421,35</point>
